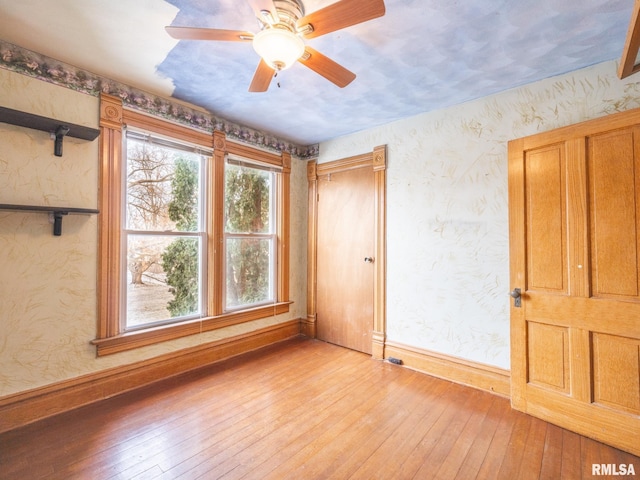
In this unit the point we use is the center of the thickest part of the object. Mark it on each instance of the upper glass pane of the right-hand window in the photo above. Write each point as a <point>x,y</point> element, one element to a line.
<point>247,200</point>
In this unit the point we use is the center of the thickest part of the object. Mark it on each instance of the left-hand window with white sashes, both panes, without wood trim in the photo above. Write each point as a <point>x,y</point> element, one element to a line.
<point>163,236</point>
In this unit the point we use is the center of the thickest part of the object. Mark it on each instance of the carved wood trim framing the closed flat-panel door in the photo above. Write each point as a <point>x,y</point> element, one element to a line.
<point>377,160</point>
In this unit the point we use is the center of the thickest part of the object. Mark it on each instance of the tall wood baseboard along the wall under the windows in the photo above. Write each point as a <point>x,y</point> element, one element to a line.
<point>27,407</point>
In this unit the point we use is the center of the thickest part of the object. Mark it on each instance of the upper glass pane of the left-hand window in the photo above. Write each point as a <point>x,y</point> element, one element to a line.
<point>163,188</point>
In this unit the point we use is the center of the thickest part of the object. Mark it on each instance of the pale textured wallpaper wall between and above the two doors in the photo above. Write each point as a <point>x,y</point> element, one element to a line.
<point>447,212</point>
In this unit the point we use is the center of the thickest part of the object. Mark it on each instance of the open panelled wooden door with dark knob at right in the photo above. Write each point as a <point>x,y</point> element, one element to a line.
<point>574,212</point>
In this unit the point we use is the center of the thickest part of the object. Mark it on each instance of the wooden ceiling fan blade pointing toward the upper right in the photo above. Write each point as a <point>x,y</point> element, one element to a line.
<point>341,14</point>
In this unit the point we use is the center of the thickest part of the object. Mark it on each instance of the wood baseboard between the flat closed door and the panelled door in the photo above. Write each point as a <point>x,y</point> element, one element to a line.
<point>476,375</point>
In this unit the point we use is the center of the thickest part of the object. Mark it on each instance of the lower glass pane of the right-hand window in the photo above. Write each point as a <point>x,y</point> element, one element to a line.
<point>248,262</point>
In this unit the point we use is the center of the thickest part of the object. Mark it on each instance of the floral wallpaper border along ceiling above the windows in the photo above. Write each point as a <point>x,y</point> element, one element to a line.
<point>26,62</point>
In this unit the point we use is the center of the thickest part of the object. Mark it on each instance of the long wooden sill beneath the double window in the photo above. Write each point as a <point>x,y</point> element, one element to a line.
<point>150,336</point>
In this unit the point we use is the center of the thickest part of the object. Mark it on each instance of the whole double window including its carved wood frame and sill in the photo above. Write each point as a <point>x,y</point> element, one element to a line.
<point>193,231</point>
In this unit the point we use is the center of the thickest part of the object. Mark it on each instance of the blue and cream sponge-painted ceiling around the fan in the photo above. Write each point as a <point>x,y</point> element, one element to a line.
<point>421,56</point>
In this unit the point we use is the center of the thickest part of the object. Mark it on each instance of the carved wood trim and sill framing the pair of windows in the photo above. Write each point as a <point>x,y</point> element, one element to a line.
<point>113,117</point>
